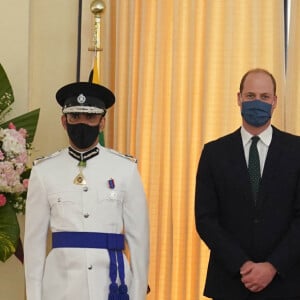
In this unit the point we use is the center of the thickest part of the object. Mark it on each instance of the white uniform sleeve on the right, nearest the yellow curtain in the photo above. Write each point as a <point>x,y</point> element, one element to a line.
<point>136,225</point>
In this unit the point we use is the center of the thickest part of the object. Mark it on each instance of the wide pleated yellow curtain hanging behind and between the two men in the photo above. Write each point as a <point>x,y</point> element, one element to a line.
<point>175,67</point>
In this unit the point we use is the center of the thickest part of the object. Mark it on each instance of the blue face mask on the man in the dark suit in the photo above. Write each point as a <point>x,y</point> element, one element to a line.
<point>256,113</point>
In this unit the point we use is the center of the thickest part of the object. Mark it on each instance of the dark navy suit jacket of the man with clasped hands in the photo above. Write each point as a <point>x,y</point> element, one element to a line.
<point>237,229</point>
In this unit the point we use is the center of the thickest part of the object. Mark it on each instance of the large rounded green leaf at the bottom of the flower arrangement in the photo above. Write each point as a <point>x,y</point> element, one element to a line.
<point>9,232</point>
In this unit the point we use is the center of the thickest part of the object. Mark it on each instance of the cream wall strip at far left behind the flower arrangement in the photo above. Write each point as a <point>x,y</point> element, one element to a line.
<point>14,52</point>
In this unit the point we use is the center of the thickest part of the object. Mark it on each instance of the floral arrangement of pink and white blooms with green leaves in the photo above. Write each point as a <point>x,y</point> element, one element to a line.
<point>16,138</point>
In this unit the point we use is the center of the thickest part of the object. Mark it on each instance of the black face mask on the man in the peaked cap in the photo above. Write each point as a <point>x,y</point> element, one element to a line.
<point>82,135</point>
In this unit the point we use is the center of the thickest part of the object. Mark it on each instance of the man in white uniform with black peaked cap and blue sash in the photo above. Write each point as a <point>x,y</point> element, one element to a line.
<point>92,200</point>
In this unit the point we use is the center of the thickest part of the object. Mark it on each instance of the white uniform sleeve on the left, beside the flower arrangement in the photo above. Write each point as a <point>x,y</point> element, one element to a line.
<point>35,239</point>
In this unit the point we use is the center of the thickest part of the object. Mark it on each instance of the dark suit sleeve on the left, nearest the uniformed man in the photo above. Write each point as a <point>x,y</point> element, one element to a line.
<point>222,244</point>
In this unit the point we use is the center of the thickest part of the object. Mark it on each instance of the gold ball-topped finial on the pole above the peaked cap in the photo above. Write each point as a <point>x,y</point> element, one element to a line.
<point>97,7</point>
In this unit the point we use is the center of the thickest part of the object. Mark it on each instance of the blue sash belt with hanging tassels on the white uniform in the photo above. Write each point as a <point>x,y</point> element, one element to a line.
<point>113,242</point>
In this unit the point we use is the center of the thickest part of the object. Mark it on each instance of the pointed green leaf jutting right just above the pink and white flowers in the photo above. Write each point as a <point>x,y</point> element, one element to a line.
<point>28,121</point>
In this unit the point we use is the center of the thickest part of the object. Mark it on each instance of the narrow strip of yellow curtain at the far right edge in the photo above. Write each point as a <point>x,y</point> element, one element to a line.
<point>293,75</point>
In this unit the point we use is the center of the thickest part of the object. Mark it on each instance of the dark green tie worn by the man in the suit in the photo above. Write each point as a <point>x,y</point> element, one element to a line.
<point>254,165</point>
